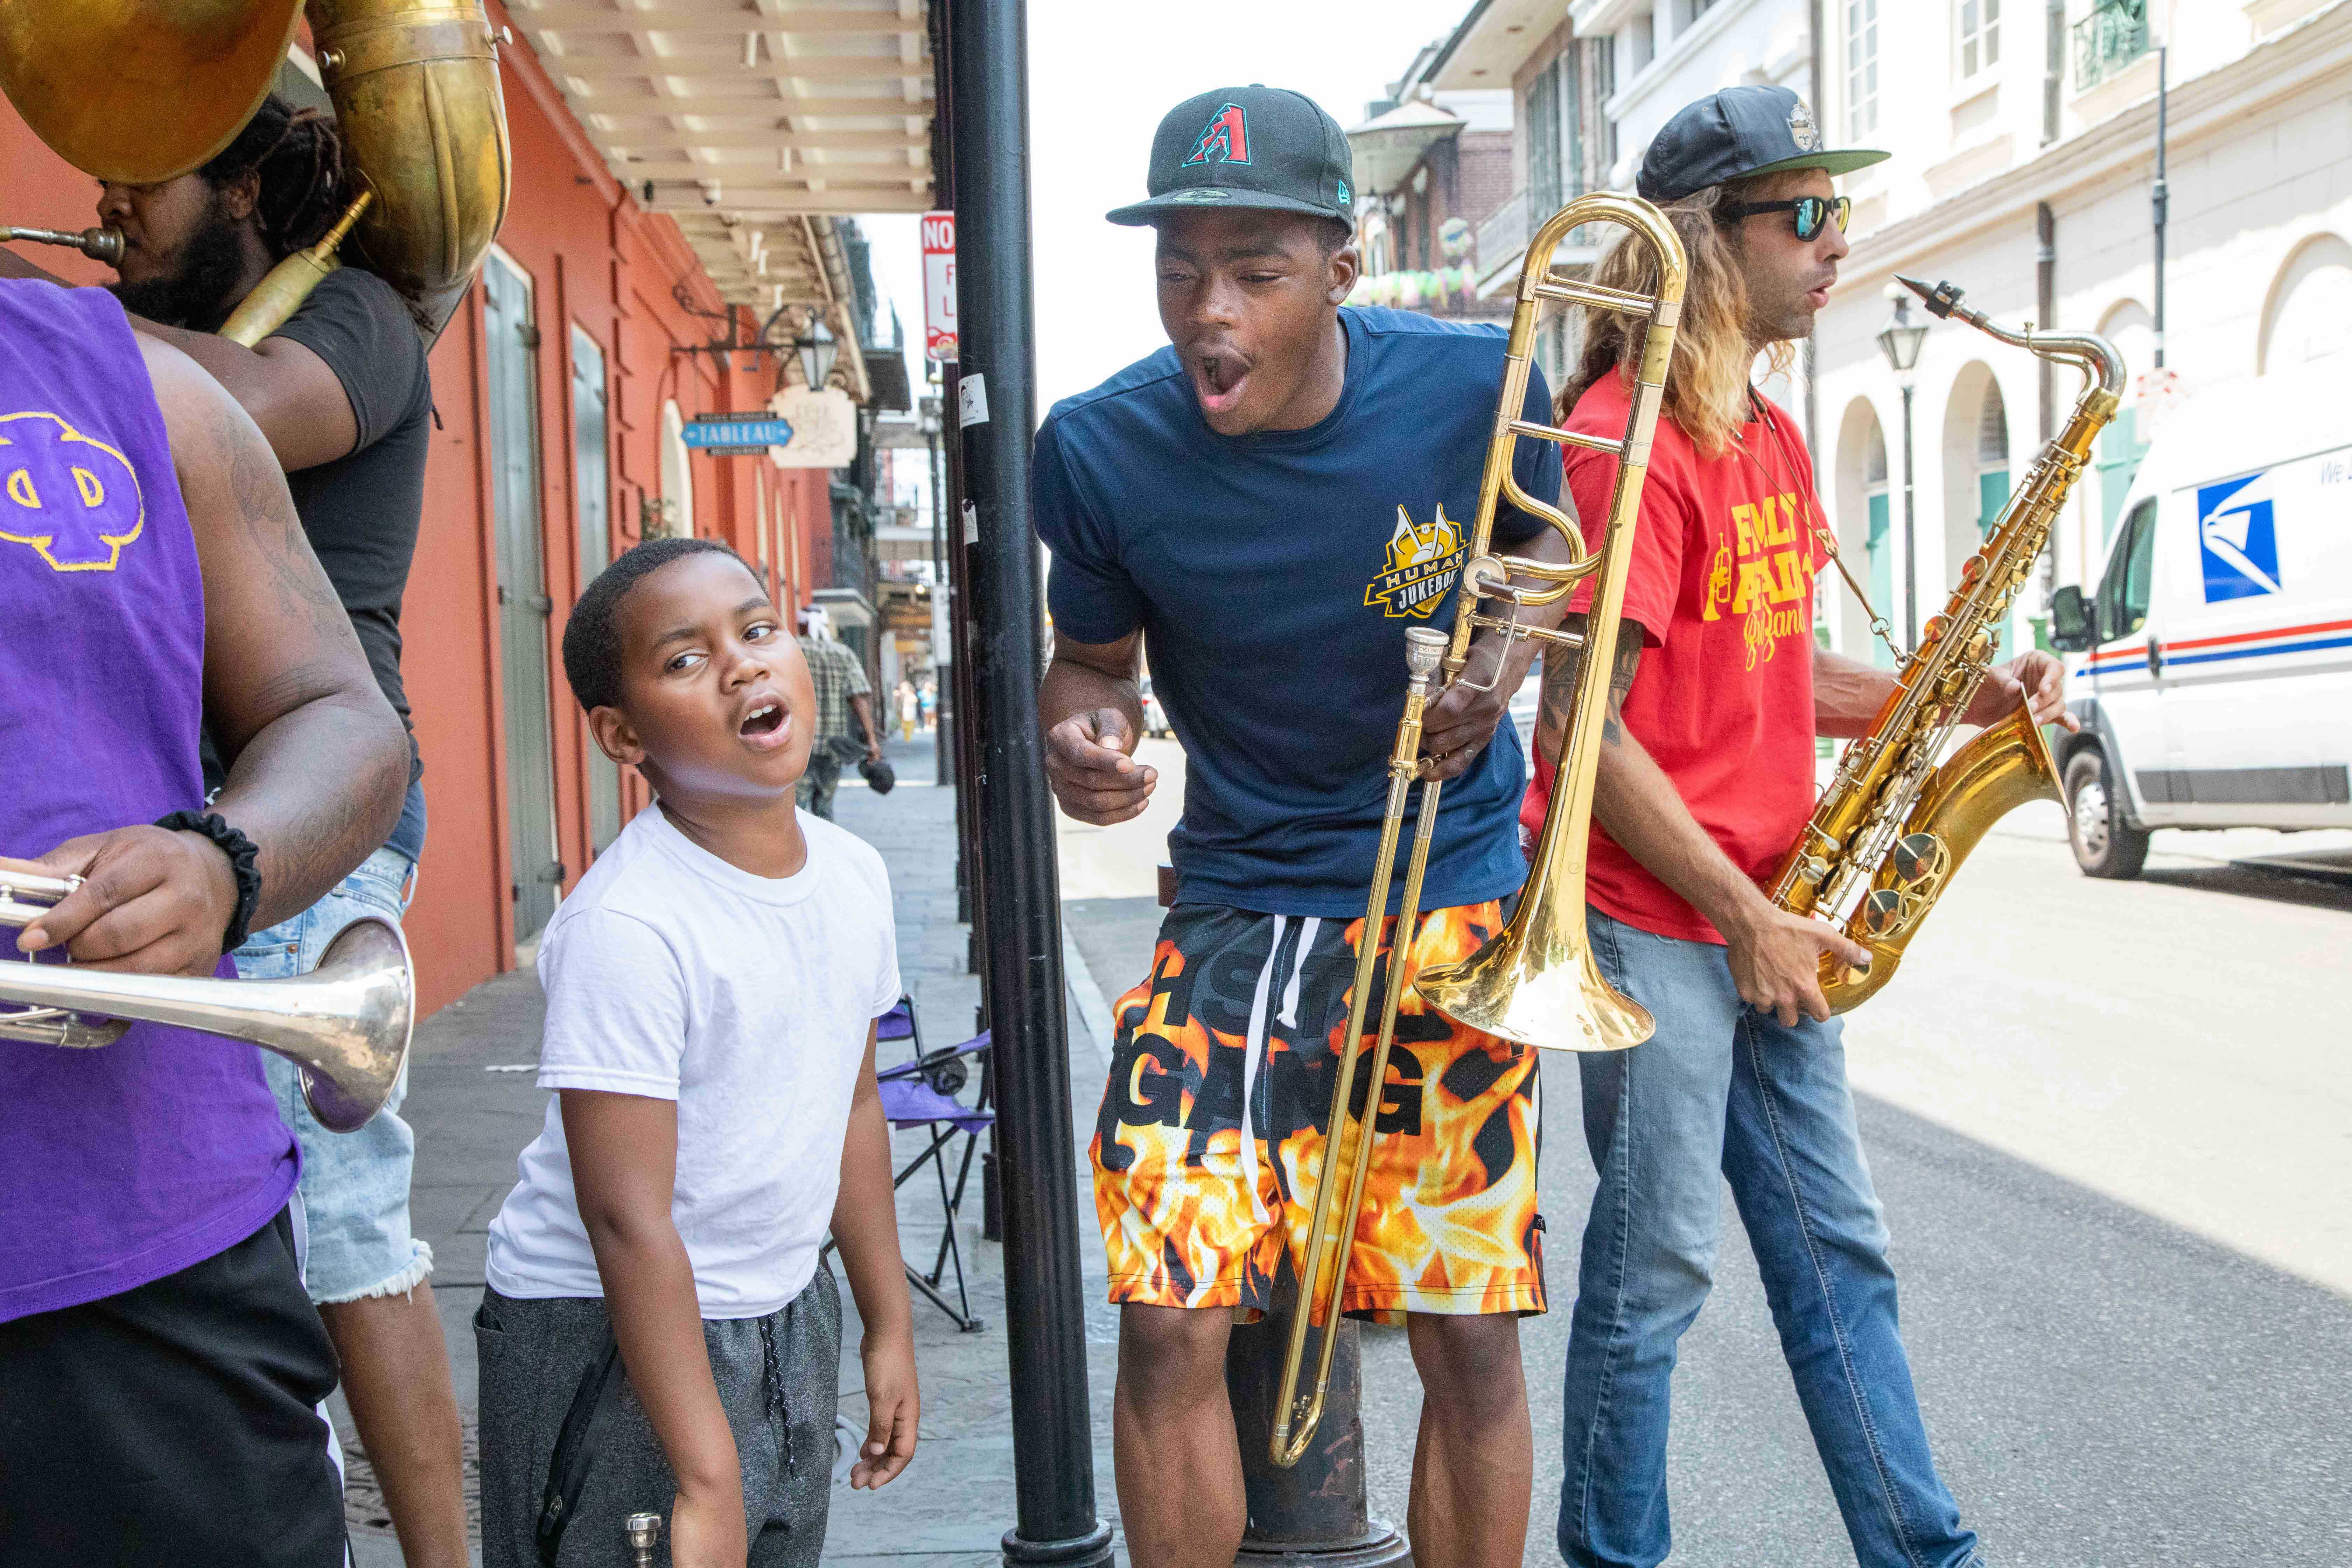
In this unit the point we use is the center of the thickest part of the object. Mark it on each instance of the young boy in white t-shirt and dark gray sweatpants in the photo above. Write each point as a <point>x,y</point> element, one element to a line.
<point>714,986</point>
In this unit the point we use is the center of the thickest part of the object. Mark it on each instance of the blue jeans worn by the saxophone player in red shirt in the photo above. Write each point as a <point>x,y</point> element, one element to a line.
<point>1725,1090</point>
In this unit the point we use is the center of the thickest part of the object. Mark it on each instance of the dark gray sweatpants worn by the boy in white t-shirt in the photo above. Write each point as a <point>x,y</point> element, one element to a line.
<point>780,1379</point>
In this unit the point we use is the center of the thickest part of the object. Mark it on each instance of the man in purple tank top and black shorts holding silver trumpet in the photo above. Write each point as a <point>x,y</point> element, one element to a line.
<point>159,1360</point>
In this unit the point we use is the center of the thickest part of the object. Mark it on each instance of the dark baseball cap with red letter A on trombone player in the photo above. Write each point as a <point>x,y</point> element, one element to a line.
<point>1248,147</point>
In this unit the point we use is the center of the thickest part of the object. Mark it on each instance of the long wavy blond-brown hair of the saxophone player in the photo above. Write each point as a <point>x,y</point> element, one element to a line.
<point>1706,384</point>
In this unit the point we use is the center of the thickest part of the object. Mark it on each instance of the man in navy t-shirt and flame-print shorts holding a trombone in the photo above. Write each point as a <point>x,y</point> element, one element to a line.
<point>1274,502</point>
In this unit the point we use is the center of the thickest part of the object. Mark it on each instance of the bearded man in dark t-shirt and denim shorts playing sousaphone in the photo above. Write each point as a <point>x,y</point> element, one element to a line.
<point>345,401</point>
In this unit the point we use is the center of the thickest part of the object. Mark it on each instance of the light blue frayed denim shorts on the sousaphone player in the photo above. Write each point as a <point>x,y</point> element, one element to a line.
<point>354,1186</point>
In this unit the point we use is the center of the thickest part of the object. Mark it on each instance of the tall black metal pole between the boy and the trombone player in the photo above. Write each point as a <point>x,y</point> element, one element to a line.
<point>996,415</point>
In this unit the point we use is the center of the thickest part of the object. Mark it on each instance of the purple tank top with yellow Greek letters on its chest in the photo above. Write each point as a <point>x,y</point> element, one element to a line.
<point>166,1148</point>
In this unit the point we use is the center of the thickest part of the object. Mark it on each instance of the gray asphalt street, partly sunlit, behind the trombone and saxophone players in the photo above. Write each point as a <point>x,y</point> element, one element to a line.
<point>2113,1134</point>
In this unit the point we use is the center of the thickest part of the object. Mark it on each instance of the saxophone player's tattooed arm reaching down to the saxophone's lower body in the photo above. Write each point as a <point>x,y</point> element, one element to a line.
<point>1775,956</point>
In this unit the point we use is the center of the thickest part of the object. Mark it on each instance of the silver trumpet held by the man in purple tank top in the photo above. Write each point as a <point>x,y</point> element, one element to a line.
<point>347,1024</point>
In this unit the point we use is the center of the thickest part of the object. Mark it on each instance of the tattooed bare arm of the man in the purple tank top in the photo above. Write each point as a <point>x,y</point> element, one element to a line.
<point>319,760</point>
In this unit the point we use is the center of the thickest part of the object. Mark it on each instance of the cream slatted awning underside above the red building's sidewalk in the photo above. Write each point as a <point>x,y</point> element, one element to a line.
<point>751,123</point>
